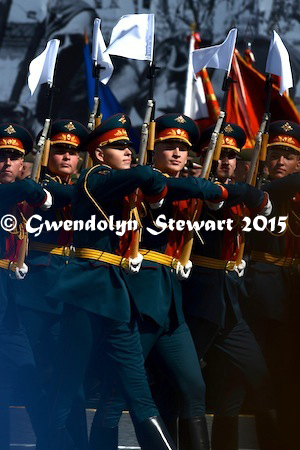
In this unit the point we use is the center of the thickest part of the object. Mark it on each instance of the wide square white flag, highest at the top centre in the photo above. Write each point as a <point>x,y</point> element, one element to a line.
<point>133,37</point>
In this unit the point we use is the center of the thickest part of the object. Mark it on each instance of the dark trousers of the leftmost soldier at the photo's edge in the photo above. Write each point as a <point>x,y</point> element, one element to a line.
<point>17,367</point>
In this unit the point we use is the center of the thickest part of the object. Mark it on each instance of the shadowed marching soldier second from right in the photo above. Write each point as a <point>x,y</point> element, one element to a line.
<point>211,300</point>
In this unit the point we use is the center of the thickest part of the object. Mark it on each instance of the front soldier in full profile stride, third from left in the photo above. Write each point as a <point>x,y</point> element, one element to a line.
<point>98,310</point>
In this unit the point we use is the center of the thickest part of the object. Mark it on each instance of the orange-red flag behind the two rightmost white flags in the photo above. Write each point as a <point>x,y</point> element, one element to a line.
<point>247,97</point>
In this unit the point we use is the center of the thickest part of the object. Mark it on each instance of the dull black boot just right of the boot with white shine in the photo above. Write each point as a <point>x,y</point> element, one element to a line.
<point>193,434</point>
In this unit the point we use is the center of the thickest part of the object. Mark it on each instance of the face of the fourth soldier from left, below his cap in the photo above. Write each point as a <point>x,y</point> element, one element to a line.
<point>170,156</point>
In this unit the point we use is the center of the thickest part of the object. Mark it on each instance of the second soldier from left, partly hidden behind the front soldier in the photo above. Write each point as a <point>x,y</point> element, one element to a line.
<point>48,253</point>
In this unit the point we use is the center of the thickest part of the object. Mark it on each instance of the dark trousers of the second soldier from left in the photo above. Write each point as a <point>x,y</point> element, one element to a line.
<point>43,331</point>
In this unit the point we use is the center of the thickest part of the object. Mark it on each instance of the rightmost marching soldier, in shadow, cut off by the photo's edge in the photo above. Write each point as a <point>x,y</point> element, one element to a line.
<point>272,278</point>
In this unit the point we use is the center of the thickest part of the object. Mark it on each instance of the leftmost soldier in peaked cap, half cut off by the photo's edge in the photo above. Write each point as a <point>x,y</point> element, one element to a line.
<point>17,364</point>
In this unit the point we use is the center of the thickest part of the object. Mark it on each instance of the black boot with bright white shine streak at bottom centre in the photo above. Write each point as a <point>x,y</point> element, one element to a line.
<point>153,435</point>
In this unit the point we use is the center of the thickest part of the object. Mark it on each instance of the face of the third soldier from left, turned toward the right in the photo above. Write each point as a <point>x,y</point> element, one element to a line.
<point>118,157</point>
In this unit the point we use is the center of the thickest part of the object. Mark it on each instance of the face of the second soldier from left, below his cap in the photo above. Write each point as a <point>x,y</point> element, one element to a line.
<point>63,161</point>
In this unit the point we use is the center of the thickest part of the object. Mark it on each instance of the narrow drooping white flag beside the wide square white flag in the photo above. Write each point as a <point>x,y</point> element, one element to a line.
<point>98,49</point>
